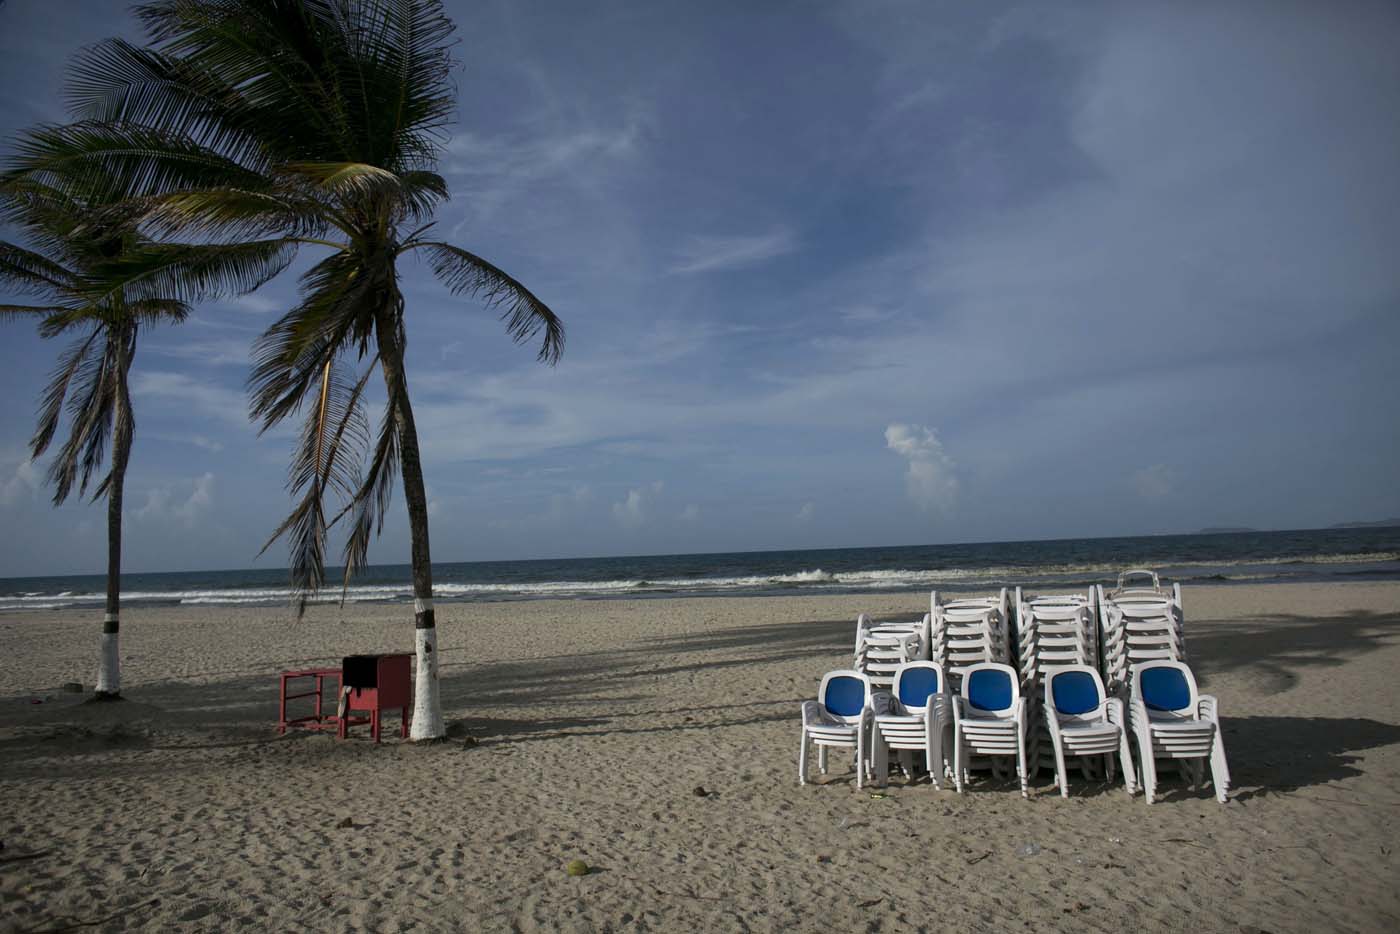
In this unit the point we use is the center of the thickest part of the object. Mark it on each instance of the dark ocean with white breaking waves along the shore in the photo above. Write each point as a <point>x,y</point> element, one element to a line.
<point>1315,555</point>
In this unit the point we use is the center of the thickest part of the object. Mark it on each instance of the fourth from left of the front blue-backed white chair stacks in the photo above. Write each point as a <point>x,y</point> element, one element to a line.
<point>1084,722</point>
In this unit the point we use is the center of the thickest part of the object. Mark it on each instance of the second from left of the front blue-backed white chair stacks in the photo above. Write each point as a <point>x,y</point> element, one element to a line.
<point>915,716</point>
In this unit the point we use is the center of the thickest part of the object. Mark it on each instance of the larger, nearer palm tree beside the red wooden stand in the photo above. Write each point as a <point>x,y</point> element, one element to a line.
<point>318,121</point>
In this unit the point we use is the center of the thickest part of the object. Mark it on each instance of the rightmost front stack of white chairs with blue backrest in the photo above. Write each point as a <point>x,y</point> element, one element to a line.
<point>1171,720</point>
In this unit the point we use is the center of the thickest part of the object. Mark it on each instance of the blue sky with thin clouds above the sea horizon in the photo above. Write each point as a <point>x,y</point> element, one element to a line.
<point>835,275</point>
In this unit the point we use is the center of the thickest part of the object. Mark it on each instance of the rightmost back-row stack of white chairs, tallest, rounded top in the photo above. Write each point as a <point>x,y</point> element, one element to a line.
<point>1140,624</point>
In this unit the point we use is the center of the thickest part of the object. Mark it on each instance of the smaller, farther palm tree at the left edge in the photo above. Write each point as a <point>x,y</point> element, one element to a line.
<point>94,275</point>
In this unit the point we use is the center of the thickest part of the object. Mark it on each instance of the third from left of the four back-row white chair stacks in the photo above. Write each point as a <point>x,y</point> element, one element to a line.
<point>1052,632</point>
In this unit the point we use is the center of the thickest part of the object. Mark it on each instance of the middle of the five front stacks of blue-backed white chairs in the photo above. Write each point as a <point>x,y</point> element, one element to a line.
<point>989,720</point>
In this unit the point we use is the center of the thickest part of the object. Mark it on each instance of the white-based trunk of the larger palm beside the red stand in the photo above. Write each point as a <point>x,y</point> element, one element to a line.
<point>428,705</point>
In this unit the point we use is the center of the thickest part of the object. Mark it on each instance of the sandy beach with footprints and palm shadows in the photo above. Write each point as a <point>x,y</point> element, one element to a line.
<point>586,730</point>
